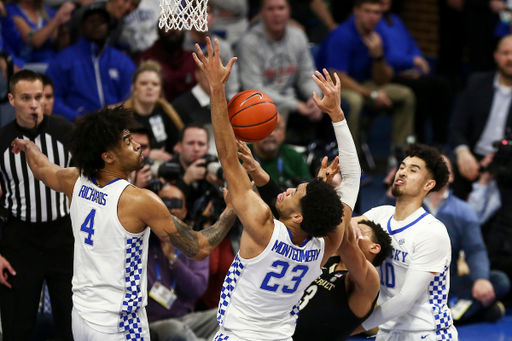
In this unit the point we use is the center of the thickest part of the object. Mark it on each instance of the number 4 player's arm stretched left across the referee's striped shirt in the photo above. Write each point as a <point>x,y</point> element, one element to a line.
<point>57,178</point>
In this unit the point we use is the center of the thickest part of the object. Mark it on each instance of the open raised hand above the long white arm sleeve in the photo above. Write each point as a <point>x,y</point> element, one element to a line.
<point>331,102</point>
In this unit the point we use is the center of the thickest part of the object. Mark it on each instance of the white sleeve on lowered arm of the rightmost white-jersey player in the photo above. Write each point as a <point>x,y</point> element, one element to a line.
<point>415,284</point>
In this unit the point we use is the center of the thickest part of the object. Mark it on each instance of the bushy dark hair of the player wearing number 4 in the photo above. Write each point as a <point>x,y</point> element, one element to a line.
<point>96,133</point>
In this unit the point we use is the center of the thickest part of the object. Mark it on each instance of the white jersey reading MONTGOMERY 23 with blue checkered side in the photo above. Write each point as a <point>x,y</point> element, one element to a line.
<point>260,296</point>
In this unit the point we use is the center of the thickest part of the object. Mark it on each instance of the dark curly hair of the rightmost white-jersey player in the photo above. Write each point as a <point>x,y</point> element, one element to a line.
<point>434,161</point>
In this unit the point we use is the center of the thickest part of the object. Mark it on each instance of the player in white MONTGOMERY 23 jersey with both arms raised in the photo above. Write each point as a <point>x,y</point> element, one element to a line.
<point>277,258</point>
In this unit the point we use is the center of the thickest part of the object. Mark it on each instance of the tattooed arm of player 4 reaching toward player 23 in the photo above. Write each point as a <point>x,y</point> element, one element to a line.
<point>149,209</point>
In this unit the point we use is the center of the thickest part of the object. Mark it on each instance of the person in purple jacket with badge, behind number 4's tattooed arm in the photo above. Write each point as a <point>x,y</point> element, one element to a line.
<point>182,280</point>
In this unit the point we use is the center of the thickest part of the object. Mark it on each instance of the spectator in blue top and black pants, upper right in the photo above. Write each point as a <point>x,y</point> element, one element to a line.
<point>433,93</point>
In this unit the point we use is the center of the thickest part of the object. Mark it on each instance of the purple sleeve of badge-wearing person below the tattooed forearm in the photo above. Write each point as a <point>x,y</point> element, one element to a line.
<point>191,277</point>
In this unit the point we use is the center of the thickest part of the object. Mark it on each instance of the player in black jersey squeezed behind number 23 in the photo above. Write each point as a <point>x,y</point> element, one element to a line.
<point>347,290</point>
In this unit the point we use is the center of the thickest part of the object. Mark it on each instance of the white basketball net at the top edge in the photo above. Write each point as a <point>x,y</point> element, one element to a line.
<point>183,15</point>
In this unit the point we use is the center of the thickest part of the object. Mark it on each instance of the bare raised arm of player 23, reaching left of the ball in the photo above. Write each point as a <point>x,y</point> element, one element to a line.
<point>251,210</point>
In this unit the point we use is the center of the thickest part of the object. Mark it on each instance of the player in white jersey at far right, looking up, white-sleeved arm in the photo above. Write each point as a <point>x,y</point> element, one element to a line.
<point>415,278</point>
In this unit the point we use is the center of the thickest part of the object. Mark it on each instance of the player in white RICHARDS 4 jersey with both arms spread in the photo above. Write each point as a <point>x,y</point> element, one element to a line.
<point>110,219</point>
